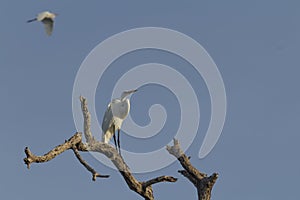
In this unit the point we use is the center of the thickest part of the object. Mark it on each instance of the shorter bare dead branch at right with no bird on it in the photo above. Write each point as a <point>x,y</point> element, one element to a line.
<point>201,181</point>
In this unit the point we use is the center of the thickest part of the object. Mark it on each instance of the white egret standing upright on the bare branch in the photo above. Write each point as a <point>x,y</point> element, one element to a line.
<point>114,116</point>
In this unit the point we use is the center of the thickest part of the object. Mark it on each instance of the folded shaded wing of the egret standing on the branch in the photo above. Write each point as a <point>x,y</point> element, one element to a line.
<point>107,125</point>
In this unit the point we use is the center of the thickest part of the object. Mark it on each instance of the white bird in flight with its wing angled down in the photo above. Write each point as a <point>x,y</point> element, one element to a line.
<point>47,18</point>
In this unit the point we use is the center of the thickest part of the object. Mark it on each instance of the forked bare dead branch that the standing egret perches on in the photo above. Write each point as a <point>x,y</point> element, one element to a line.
<point>75,143</point>
